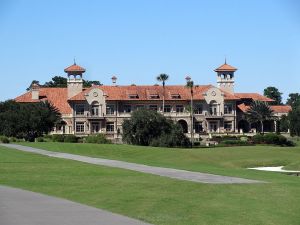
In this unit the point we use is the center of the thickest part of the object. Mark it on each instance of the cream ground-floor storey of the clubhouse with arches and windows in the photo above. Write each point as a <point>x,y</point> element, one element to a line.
<point>112,126</point>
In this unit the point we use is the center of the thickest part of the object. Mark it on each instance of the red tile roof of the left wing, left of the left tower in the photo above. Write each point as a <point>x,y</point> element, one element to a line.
<point>57,96</point>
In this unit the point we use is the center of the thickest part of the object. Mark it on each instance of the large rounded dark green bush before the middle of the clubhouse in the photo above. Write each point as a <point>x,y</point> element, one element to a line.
<point>147,127</point>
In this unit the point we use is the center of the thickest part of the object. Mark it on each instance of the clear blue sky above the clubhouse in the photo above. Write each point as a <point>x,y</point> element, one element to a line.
<point>136,40</point>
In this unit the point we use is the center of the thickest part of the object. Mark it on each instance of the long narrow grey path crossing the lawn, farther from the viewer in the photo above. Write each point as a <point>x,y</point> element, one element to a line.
<point>165,172</point>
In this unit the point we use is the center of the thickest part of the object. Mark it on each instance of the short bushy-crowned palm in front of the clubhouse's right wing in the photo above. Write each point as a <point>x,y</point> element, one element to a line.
<point>259,112</point>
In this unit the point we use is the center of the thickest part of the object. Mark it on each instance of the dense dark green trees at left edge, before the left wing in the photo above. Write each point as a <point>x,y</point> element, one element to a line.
<point>27,120</point>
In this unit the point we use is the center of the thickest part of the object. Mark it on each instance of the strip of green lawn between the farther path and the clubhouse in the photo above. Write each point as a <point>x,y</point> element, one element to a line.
<point>225,161</point>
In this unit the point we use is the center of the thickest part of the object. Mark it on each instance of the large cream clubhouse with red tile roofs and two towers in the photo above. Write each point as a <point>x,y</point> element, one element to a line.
<point>103,108</point>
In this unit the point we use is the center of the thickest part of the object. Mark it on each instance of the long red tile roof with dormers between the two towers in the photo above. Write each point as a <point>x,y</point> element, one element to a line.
<point>143,92</point>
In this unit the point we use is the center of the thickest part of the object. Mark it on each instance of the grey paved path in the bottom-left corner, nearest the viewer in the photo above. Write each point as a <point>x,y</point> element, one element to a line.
<point>19,207</point>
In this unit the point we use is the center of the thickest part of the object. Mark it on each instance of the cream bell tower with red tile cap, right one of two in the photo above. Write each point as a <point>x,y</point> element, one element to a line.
<point>225,77</point>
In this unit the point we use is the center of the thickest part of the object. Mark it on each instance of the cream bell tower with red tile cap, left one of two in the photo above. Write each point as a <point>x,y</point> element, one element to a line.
<point>75,82</point>
